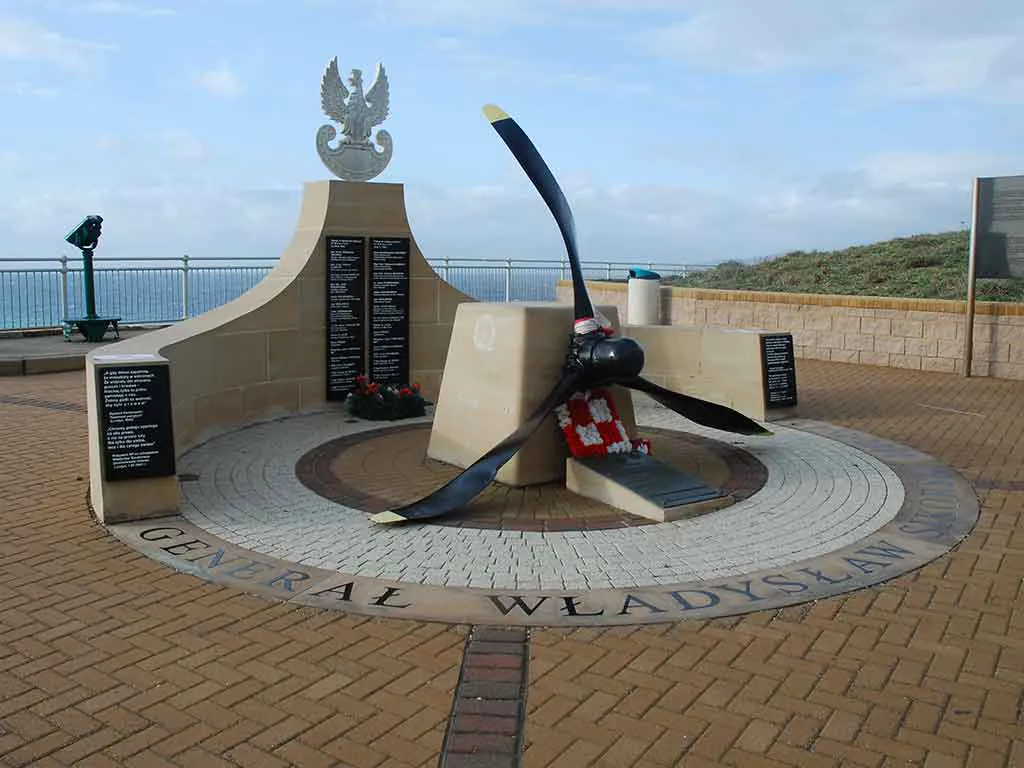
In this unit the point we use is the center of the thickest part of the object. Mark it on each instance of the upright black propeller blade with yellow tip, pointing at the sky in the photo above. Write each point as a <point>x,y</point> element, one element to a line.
<point>544,181</point>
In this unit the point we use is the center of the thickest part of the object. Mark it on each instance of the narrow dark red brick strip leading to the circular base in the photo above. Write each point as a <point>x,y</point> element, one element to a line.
<point>486,729</point>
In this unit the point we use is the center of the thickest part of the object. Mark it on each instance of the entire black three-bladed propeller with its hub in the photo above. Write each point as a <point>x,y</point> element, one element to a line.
<point>598,357</point>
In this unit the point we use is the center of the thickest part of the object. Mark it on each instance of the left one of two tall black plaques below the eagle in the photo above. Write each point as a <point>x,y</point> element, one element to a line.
<point>347,282</point>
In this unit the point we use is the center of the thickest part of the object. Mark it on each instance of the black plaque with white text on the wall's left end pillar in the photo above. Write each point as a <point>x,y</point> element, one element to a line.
<point>138,440</point>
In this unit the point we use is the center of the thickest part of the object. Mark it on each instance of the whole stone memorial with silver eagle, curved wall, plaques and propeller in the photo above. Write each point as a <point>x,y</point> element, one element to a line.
<point>354,300</point>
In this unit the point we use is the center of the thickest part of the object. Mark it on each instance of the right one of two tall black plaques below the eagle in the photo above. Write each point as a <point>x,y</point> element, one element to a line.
<point>390,311</point>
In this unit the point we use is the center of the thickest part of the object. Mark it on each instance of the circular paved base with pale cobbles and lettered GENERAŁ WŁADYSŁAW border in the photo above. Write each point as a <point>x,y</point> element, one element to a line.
<point>282,509</point>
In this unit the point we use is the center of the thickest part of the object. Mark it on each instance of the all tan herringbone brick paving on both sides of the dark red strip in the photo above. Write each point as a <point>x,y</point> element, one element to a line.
<point>109,659</point>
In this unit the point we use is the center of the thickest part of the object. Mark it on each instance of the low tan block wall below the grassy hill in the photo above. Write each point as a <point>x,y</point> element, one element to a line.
<point>918,334</point>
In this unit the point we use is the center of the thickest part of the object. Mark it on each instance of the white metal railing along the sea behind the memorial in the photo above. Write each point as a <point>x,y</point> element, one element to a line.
<point>158,290</point>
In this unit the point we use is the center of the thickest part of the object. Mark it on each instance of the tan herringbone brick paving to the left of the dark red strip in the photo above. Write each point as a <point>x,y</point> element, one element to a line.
<point>110,659</point>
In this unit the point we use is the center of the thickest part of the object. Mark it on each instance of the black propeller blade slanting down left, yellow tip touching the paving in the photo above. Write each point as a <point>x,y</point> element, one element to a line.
<point>461,490</point>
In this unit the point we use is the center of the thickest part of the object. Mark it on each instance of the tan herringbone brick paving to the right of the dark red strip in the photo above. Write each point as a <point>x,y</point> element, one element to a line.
<point>927,670</point>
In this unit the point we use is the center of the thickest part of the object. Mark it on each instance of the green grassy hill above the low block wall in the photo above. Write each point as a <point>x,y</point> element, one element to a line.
<point>928,267</point>
